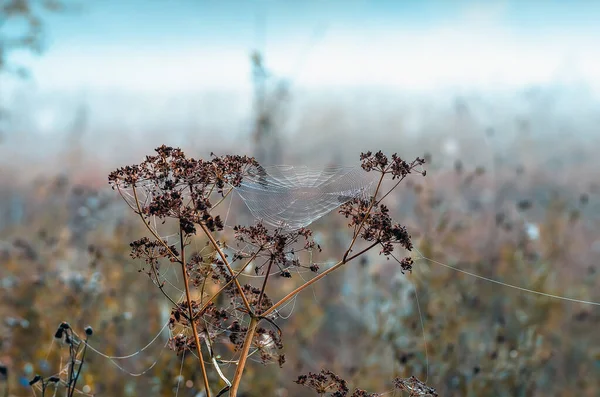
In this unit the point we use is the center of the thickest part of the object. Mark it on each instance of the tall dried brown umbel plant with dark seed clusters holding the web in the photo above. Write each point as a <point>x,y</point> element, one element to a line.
<point>170,187</point>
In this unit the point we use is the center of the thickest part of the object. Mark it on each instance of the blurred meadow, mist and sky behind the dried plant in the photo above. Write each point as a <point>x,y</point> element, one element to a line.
<point>501,97</point>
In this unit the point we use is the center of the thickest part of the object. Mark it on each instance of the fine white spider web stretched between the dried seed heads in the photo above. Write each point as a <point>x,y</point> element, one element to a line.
<point>293,197</point>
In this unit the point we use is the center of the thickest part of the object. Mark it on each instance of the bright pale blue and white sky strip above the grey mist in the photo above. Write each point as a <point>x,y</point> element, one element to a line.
<point>190,45</point>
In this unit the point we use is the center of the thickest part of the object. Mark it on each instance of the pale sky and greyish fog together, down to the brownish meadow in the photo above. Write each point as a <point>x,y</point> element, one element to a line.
<point>180,74</point>
